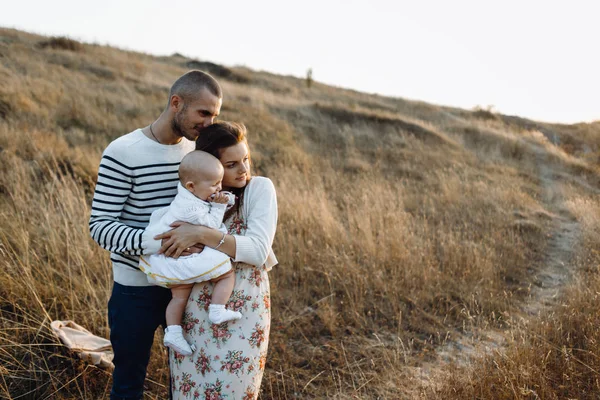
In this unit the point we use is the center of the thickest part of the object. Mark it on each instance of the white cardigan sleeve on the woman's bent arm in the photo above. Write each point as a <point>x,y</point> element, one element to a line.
<point>254,247</point>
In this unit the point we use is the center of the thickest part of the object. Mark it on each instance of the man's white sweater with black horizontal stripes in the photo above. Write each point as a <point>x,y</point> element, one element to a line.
<point>136,176</point>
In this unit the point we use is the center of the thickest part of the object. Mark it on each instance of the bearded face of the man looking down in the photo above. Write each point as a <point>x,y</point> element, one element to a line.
<point>191,118</point>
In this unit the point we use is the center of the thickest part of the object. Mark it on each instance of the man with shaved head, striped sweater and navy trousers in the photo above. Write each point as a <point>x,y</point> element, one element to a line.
<point>137,175</point>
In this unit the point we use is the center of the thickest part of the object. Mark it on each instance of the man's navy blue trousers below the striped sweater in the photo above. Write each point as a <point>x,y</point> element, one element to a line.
<point>134,313</point>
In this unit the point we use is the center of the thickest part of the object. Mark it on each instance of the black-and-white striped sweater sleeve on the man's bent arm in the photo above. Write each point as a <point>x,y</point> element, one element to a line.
<point>112,190</point>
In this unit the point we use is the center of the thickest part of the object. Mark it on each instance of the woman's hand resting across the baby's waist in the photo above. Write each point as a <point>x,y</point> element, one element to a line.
<point>183,239</point>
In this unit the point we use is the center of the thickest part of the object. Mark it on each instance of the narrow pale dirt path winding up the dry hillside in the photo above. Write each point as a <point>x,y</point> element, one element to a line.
<point>547,283</point>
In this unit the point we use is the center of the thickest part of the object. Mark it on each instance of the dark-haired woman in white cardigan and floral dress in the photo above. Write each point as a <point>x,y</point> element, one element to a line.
<point>230,357</point>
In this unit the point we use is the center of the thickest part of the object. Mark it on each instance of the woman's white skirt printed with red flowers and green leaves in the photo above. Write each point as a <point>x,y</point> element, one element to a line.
<point>230,358</point>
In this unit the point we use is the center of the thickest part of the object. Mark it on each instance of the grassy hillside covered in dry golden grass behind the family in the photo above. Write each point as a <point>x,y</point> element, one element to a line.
<point>405,229</point>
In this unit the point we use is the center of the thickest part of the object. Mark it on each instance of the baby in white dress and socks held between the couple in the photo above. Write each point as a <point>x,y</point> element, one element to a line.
<point>200,202</point>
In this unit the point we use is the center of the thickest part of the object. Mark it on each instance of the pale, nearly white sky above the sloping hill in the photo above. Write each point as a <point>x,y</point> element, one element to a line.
<point>533,58</point>
